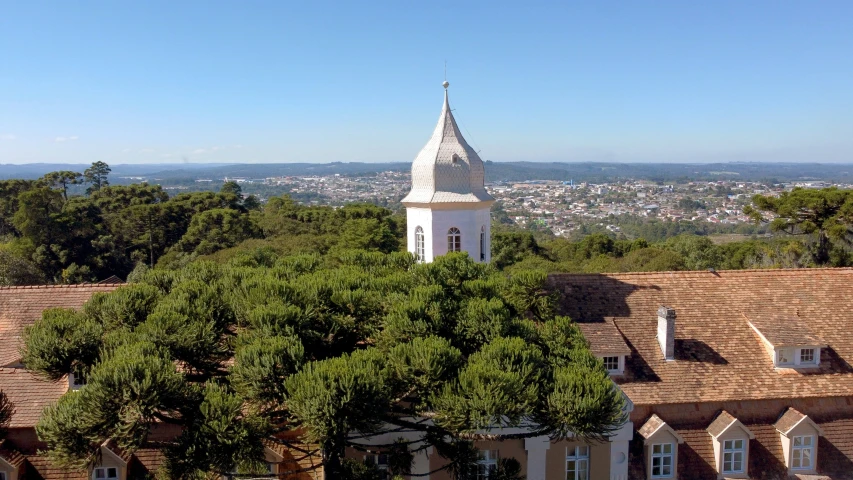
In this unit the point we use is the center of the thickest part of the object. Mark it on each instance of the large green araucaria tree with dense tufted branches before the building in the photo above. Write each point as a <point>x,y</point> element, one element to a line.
<point>335,348</point>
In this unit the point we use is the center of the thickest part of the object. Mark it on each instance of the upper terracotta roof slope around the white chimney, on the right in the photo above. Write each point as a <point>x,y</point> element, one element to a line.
<point>718,357</point>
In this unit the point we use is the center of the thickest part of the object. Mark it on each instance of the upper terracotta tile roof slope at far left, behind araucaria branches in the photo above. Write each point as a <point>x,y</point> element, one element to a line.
<point>21,306</point>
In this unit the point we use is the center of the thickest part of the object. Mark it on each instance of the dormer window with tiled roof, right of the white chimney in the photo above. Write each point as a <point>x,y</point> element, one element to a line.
<point>789,341</point>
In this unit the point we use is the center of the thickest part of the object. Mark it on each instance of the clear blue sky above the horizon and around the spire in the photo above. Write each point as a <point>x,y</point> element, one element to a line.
<point>278,81</point>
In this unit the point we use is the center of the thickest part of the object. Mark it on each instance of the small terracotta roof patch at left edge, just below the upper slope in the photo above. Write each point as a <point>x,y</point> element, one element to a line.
<point>29,394</point>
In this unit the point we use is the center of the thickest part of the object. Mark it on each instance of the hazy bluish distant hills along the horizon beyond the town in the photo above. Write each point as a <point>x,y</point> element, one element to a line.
<point>594,172</point>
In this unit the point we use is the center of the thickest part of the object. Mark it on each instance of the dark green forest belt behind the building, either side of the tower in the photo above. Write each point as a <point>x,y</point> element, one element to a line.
<point>49,236</point>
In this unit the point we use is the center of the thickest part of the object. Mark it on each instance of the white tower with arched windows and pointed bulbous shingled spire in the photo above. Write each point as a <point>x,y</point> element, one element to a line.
<point>448,209</point>
